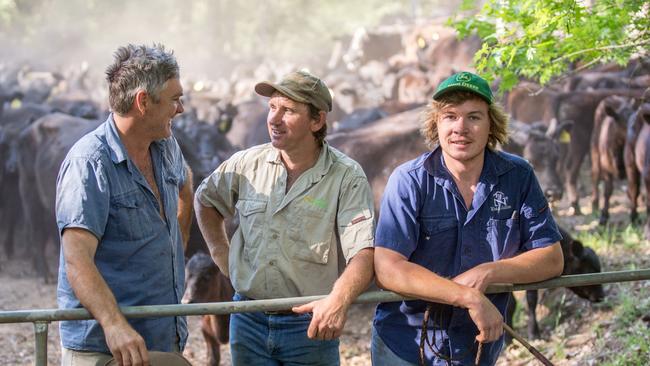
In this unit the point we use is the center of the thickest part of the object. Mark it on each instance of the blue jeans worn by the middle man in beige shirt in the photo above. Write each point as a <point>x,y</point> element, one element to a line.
<point>274,340</point>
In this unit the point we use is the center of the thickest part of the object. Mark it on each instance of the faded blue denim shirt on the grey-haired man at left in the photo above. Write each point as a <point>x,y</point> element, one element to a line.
<point>139,255</point>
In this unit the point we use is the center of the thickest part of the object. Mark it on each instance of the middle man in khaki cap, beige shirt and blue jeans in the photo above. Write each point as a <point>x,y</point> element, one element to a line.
<point>305,211</point>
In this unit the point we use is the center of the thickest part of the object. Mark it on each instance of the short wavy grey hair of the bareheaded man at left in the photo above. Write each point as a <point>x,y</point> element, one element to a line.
<point>137,68</point>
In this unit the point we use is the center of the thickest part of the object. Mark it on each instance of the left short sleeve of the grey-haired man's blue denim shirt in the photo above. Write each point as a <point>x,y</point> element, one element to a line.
<point>82,196</point>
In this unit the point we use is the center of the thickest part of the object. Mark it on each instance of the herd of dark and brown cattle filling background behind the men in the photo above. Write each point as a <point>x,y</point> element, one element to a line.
<point>381,81</point>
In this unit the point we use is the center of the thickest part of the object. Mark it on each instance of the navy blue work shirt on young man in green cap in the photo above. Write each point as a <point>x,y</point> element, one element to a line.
<point>423,217</point>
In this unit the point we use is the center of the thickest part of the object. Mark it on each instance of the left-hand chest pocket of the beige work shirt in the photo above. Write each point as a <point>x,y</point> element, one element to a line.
<point>251,223</point>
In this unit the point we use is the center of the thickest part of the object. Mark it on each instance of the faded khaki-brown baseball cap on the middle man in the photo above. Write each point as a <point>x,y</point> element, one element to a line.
<point>300,86</point>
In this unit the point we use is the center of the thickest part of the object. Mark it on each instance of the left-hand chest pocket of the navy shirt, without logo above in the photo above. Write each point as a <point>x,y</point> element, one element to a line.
<point>438,237</point>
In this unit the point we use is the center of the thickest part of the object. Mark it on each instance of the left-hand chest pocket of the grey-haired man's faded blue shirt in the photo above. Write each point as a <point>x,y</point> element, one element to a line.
<point>128,220</point>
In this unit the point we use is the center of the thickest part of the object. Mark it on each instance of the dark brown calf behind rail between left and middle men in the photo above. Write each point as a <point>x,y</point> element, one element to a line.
<point>205,283</point>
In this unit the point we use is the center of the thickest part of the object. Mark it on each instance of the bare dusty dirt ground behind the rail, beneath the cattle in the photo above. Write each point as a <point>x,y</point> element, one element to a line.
<point>20,289</point>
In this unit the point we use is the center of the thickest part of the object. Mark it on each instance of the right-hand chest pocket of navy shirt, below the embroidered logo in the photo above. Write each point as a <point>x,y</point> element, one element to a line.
<point>504,237</point>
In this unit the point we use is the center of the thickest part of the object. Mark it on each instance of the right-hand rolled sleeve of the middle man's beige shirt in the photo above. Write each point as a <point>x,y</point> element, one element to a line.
<point>355,217</point>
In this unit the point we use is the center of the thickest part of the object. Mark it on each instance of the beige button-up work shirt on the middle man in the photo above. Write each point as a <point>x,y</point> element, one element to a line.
<point>293,244</point>
